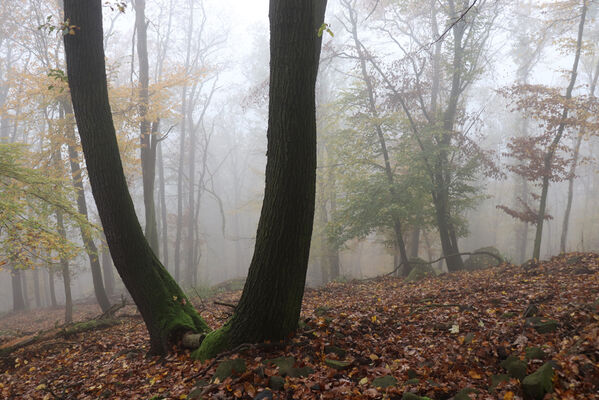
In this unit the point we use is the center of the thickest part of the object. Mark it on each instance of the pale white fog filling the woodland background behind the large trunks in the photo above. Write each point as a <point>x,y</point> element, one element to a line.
<point>208,77</point>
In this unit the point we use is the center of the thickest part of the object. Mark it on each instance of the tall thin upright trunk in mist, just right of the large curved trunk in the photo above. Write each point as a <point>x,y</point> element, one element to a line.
<point>147,138</point>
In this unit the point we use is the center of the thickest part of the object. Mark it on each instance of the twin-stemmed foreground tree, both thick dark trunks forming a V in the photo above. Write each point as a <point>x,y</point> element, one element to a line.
<point>270,304</point>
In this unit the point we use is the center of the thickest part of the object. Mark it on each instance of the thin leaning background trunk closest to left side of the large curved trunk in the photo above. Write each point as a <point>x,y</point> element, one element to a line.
<point>88,241</point>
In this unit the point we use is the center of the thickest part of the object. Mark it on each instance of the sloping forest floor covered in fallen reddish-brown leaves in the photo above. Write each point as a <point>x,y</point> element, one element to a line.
<point>431,338</point>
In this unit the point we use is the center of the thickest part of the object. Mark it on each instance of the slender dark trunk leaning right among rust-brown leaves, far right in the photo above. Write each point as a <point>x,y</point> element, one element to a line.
<point>548,158</point>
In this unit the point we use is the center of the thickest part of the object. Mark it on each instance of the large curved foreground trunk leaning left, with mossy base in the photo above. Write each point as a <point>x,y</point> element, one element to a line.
<point>162,304</point>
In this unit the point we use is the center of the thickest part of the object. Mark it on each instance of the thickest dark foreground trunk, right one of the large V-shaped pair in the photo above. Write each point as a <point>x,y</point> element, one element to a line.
<point>270,304</point>
